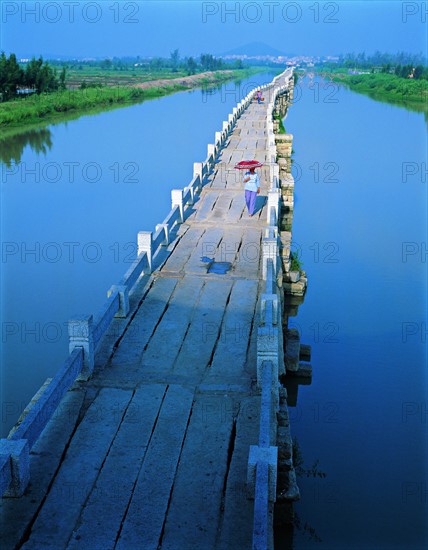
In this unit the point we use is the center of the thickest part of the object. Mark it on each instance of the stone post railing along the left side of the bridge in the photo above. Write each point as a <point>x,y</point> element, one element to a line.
<point>86,332</point>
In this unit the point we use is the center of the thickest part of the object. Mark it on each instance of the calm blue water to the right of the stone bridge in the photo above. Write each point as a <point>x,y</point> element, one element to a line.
<point>360,224</point>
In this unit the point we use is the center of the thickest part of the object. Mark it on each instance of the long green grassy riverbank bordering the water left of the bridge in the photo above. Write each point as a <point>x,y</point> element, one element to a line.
<point>19,114</point>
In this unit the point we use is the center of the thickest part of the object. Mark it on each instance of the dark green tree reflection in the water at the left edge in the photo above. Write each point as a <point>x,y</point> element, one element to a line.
<point>12,148</point>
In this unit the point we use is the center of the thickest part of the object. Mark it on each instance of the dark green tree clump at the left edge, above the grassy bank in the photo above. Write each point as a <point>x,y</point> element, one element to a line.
<point>38,76</point>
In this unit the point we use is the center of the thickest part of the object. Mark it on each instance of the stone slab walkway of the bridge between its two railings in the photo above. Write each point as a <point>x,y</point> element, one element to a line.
<point>152,452</point>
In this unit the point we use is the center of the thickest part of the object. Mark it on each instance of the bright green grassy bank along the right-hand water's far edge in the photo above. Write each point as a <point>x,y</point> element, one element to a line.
<point>386,87</point>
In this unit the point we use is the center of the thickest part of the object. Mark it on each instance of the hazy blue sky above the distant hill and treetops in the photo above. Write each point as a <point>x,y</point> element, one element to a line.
<point>118,28</point>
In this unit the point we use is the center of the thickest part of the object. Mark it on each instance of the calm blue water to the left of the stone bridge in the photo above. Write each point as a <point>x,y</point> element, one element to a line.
<point>74,195</point>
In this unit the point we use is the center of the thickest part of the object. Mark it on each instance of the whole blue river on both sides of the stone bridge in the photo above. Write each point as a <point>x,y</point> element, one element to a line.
<point>75,194</point>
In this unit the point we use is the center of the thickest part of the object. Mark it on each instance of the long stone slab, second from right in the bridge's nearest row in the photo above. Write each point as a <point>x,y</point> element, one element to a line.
<point>195,508</point>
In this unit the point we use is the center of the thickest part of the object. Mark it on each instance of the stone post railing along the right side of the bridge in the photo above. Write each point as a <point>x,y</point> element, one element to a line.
<point>263,458</point>
